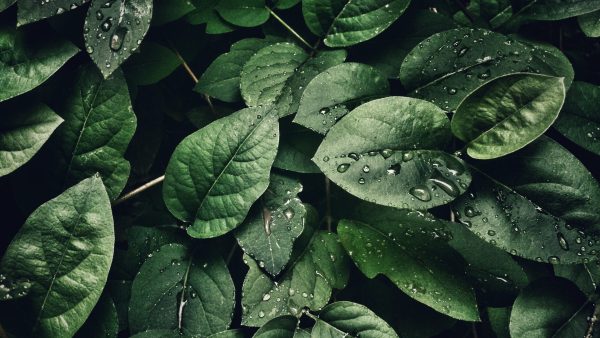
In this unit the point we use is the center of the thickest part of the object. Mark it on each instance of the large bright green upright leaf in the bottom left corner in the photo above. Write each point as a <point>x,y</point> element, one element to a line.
<point>64,249</point>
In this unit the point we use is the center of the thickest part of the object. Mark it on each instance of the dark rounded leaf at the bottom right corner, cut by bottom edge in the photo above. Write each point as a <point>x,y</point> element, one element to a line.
<point>550,308</point>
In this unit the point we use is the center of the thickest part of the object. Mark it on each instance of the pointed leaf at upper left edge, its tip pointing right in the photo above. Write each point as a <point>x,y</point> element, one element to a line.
<point>28,57</point>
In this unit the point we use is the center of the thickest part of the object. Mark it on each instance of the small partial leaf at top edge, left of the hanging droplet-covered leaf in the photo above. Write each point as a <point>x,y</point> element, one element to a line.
<point>31,11</point>
